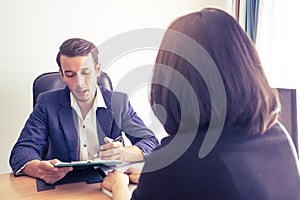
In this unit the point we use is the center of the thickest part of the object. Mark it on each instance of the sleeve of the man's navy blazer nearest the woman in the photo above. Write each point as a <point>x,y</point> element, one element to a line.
<point>131,124</point>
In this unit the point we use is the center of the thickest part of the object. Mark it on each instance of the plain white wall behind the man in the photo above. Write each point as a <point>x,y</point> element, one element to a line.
<point>32,31</point>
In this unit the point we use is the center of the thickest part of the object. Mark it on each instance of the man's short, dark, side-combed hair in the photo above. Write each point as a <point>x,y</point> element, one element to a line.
<point>77,47</point>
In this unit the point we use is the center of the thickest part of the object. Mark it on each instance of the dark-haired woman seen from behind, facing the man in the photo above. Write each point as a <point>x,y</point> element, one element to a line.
<point>210,92</point>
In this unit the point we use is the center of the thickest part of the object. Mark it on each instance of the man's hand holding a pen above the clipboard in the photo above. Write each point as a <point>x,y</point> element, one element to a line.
<point>116,151</point>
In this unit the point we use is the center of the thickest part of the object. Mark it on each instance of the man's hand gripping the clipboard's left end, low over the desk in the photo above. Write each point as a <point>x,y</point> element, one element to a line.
<point>45,170</point>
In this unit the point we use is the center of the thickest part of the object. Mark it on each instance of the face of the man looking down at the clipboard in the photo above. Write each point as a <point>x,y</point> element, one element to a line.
<point>80,75</point>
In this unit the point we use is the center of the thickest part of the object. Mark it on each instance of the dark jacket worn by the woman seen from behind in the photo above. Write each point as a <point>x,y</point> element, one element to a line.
<point>239,167</point>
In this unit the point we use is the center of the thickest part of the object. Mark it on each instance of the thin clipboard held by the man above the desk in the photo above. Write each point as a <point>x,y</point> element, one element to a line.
<point>88,163</point>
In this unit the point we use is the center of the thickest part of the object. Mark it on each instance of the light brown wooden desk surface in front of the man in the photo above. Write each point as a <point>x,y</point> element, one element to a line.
<point>24,187</point>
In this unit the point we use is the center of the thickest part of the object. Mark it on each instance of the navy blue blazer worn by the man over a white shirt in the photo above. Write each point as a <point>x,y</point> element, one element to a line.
<point>50,131</point>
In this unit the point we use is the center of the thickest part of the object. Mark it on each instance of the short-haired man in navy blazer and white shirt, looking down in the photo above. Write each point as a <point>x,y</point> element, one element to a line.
<point>78,122</point>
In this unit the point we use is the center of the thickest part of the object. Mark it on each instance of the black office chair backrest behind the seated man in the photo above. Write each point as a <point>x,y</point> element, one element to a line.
<point>52,81</point>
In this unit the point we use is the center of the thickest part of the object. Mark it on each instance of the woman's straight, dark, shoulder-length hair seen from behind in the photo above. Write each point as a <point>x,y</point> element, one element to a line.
<point>251,103</point>
